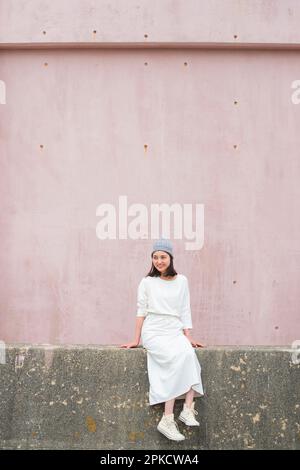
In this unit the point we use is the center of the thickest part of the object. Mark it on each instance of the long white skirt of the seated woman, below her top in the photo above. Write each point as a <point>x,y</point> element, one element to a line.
<point>173,366</point>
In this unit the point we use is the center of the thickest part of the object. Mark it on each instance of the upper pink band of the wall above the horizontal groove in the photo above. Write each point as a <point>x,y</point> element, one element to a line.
<point>170,21</point>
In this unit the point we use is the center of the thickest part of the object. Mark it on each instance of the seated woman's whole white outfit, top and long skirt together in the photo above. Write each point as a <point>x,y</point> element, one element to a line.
<point>173,366</point>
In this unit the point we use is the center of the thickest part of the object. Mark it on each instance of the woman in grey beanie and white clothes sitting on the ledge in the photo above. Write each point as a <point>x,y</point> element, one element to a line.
<point>163,323</point>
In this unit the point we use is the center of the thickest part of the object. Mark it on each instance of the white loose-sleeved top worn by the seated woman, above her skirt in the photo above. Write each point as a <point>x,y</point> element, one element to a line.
<point>156,295</point>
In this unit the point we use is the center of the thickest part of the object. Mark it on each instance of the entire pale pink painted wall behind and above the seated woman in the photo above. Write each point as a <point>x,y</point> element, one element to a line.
<point>92,110</point>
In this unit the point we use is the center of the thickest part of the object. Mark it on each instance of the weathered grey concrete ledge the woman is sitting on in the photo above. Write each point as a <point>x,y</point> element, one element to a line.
<point>95,397</point>
